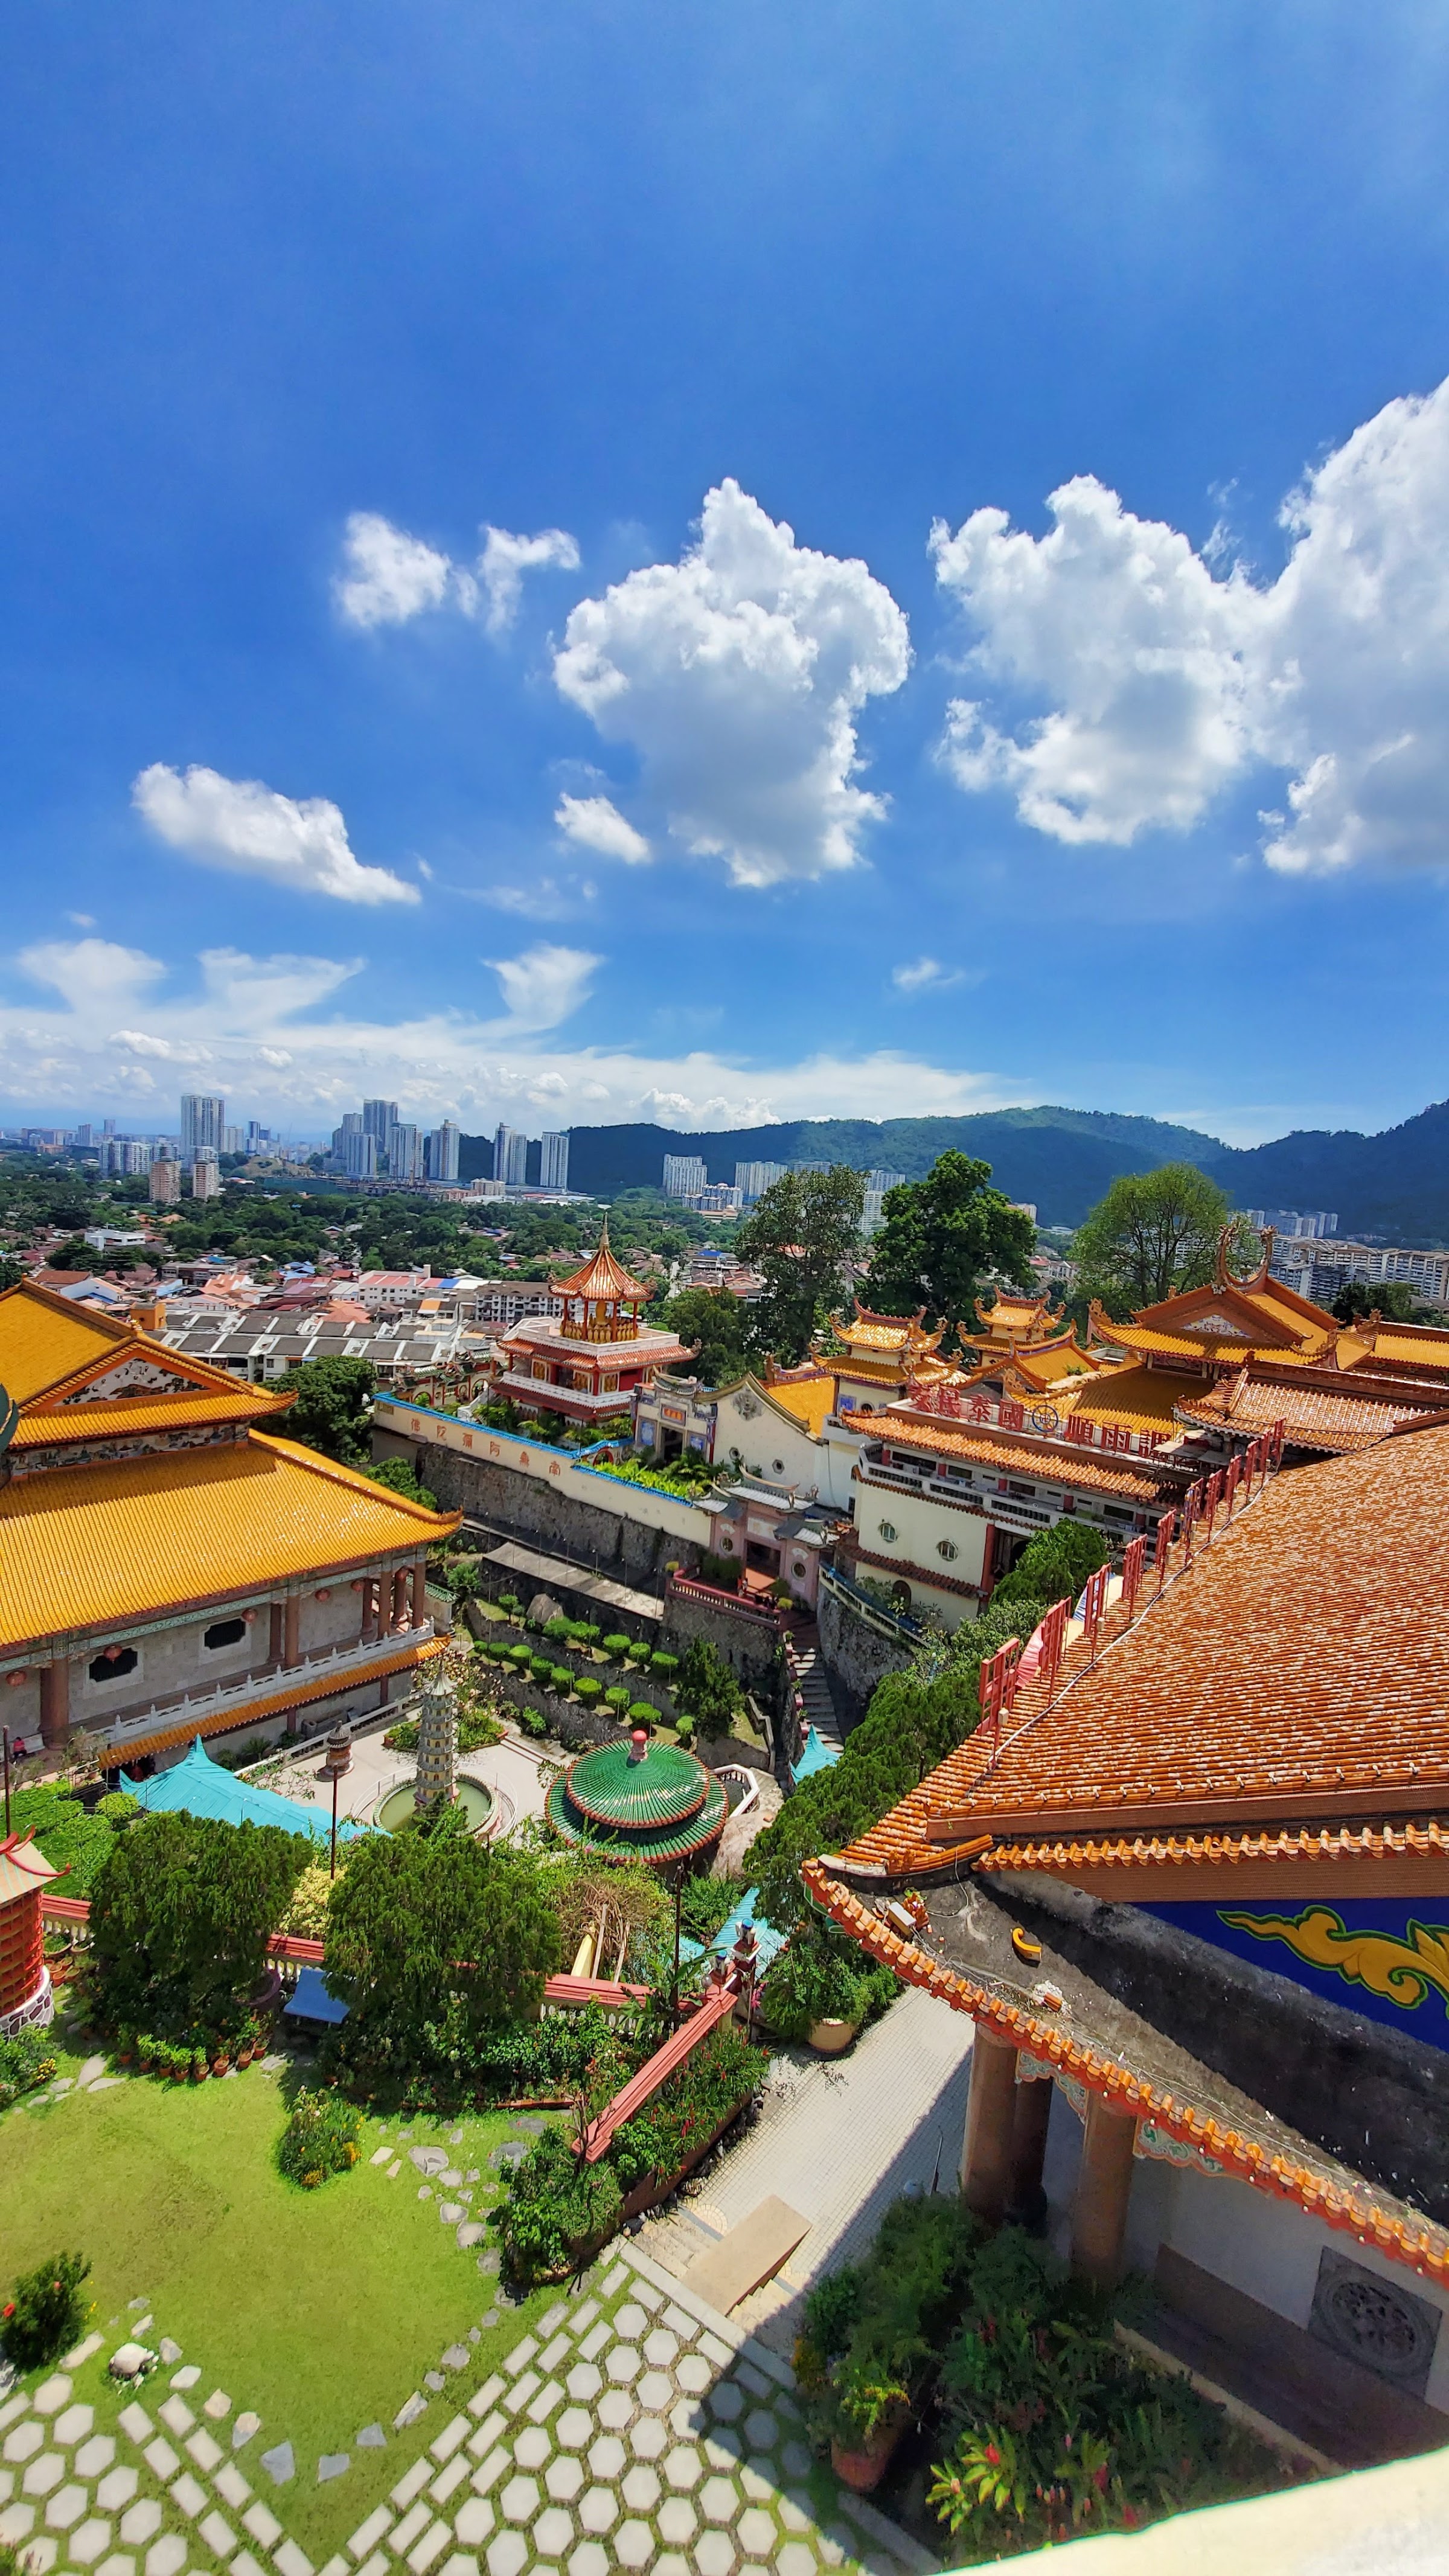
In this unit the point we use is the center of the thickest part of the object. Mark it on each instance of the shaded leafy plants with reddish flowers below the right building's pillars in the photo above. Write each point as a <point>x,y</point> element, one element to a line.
<point>1056,2428</point>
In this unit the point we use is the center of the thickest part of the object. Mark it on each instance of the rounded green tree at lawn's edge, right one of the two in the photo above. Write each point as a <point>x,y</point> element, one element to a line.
<point>432,1920</point>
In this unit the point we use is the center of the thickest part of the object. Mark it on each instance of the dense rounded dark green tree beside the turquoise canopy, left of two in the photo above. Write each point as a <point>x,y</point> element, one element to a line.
<point>182,1915</point>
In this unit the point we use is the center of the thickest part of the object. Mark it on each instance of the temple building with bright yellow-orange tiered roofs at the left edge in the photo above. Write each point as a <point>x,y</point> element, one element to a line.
<point>169,1565</point>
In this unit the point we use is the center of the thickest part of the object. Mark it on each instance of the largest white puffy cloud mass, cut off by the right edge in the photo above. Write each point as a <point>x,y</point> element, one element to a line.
<point>1146,681</point>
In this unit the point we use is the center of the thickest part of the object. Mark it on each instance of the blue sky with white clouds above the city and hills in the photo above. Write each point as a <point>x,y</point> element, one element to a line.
<point>713,787</point>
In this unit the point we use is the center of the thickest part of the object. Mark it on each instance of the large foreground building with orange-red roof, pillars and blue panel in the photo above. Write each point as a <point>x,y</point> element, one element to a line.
<point>1190,1879</point>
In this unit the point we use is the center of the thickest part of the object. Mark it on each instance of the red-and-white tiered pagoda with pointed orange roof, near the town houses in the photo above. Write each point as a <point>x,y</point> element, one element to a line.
<point>589,1361</point>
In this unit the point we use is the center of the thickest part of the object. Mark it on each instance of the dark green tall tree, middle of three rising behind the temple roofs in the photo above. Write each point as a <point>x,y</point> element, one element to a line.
<point>940,1238</point>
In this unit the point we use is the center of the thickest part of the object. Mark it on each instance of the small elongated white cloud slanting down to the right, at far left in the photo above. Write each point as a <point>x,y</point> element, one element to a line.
<point>251,831</point>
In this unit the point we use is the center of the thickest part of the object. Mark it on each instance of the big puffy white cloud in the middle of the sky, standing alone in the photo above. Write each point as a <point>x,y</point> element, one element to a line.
<point>739,676</point>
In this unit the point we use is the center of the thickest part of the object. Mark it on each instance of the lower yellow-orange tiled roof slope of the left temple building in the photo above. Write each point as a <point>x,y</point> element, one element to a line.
<point>97,1547</point>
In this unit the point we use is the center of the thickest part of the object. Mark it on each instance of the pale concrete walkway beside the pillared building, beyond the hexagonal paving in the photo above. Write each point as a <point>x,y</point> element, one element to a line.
<point>839,2139</point>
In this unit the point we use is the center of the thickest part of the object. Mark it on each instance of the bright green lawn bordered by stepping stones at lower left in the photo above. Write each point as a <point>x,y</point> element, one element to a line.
<point>316,2309</point>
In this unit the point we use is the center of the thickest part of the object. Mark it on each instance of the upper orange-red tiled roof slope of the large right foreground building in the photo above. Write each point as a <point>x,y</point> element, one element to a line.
<point>1293,1671</point>
